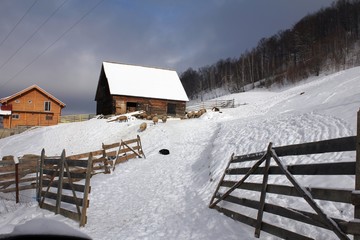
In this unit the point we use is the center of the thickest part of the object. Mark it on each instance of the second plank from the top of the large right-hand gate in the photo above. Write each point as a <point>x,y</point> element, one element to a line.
<point>337,168</point>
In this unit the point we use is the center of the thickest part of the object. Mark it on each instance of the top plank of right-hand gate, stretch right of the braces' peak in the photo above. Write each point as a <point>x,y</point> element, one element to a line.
<point>326,146</point>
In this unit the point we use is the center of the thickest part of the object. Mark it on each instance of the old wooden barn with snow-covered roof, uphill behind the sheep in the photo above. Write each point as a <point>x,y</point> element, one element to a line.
<point>126,88</point>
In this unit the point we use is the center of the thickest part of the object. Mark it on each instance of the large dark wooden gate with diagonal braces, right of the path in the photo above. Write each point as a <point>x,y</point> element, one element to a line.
<point>234,191</point>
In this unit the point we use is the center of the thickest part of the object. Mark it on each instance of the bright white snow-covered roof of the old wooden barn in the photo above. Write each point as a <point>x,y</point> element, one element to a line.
<point>131,80</point>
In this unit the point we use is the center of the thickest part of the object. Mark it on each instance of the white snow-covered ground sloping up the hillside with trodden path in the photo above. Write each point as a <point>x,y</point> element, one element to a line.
<point>167,196</point>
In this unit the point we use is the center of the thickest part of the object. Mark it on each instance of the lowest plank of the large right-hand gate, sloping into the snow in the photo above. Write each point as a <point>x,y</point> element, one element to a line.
<point>271,229</point>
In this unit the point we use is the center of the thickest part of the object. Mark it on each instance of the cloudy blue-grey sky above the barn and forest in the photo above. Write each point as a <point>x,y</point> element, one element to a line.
<point>60,44</point>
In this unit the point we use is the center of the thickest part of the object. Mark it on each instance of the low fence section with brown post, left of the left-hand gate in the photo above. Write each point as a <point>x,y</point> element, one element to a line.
<point>18,174</point>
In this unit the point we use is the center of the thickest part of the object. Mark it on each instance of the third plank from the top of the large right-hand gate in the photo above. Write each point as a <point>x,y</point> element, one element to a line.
<point>328,194</point>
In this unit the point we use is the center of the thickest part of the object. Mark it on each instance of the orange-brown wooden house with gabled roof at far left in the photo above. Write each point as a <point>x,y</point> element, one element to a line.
<point>32,106</point>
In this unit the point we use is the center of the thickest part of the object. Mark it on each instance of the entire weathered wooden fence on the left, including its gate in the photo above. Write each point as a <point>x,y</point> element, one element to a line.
<point>63,183</point>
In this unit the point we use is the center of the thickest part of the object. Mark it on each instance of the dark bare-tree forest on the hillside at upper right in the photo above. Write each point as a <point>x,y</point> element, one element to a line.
<point>325,41</point>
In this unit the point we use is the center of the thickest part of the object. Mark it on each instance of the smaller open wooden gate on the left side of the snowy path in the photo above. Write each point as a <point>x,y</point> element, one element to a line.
<point>58,191</point>
